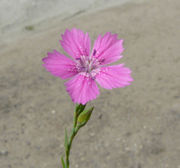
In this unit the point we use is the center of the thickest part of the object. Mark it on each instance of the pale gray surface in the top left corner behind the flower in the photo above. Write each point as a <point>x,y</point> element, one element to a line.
<point>17,16</point>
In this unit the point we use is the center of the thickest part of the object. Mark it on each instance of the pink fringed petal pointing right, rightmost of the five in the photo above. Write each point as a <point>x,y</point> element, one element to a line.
<point>114,76</point>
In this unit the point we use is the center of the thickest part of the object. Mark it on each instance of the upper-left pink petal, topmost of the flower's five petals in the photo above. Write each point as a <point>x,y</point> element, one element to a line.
<point>76,43</point>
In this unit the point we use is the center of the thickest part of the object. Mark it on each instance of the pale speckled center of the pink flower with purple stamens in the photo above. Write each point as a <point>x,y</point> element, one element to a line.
<point>88,66</point>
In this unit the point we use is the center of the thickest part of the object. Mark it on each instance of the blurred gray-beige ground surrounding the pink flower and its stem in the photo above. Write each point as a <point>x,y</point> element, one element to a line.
<point>133,127</point>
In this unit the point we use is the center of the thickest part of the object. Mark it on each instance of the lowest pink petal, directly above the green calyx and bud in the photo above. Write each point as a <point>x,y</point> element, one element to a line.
<point>82,89</point>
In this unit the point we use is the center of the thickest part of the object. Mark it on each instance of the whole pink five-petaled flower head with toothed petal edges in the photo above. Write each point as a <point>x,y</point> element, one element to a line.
<point>85,68</point>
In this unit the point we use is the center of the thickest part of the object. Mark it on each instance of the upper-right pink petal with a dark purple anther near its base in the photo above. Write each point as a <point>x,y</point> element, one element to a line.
<point>107,49</point>
